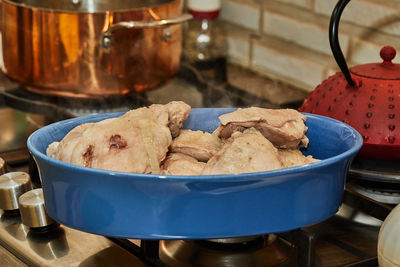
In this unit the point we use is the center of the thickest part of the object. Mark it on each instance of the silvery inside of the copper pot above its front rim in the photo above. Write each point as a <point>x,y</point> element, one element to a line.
<point>90,6</point>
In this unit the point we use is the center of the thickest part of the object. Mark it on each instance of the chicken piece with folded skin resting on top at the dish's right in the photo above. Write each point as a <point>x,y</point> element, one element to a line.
<point>285,128</point>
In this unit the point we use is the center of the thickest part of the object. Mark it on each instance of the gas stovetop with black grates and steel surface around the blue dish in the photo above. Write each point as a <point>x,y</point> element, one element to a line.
<point>349,238</point>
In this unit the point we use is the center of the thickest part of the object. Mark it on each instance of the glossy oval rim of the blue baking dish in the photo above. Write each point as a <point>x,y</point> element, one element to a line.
<point>219,177</point>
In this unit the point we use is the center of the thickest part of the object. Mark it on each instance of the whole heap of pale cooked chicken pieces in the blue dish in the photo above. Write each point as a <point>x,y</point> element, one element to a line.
<point>139,141</point>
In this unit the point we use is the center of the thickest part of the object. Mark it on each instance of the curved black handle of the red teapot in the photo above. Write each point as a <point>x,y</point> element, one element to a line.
<point>334,40</point>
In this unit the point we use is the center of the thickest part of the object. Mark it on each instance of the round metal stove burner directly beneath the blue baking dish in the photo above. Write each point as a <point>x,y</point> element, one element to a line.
<point>255,251</point>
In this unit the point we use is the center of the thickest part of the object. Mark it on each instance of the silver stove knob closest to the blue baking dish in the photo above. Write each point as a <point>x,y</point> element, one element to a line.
<point>31,206</point>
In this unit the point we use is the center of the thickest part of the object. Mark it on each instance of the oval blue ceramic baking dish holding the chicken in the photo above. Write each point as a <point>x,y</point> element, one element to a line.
<point>146,206</point>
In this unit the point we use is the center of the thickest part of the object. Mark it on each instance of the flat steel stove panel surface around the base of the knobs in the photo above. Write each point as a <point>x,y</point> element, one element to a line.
<point>60,247</point>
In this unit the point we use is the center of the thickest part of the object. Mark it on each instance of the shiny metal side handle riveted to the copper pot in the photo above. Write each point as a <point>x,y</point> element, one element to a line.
<point>106,40</point>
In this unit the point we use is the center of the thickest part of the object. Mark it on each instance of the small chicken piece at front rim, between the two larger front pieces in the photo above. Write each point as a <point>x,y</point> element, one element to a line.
<point>181,164</point>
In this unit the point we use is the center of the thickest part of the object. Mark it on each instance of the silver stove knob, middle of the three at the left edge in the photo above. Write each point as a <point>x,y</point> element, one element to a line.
<point>12,186</point>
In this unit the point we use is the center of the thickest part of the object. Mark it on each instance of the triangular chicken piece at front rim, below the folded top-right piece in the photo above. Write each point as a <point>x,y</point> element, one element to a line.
<point>244,152</point>
